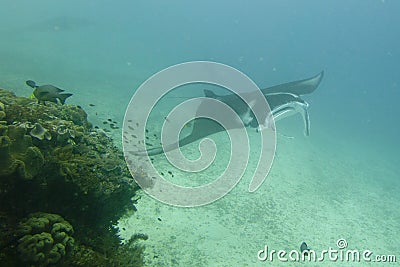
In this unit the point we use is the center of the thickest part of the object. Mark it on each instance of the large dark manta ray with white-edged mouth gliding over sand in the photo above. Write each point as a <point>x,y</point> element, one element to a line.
<point>284,100</point>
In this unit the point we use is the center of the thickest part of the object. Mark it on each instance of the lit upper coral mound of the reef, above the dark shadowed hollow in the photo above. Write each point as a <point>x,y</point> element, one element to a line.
<point>77,154</point>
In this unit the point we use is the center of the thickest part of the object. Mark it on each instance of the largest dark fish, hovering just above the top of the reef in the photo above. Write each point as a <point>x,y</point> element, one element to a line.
<point>47,92</point>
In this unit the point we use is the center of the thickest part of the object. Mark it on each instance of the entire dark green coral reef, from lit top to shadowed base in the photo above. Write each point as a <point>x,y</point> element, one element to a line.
<point>53,161</point>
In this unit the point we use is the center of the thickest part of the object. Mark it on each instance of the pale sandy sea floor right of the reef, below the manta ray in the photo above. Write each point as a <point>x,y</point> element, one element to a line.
<point>318,191</point>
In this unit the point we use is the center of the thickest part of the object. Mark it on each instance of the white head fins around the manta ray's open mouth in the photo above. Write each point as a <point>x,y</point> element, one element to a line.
<point>292,108</point>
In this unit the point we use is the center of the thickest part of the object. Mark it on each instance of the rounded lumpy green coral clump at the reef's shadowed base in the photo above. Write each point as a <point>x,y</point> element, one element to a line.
<point>44,238</point>
